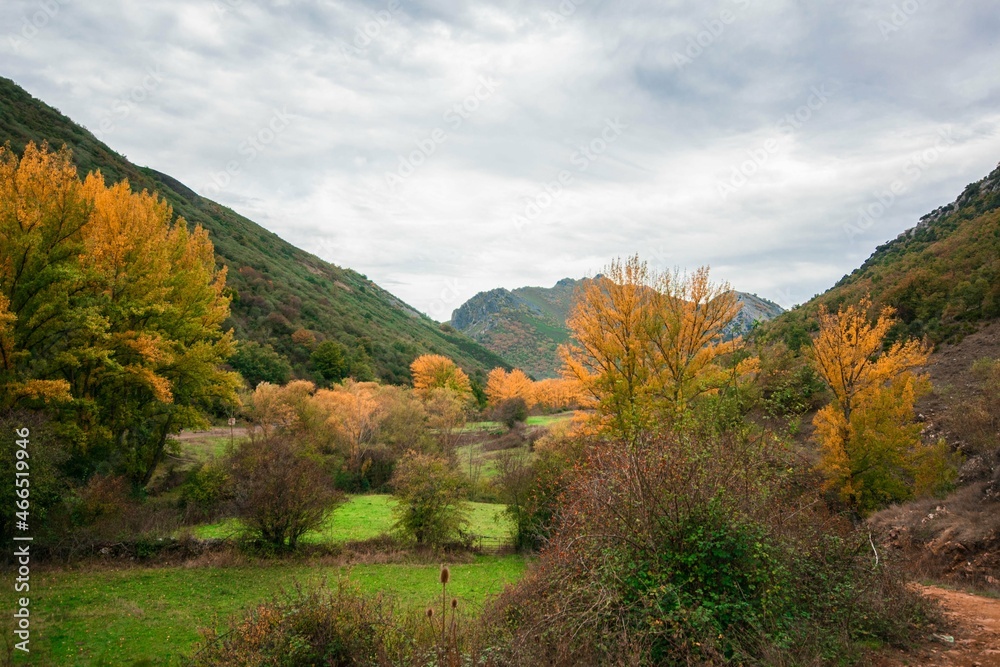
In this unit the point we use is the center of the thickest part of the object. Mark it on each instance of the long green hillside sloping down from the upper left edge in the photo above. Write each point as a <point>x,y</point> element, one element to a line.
<point>278,290</point>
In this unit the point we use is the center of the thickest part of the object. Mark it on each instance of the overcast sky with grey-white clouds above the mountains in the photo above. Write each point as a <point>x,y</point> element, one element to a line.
<point>444,147</point>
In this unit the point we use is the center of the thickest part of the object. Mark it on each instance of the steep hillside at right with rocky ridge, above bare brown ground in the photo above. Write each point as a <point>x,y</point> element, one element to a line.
<point>942,276</point>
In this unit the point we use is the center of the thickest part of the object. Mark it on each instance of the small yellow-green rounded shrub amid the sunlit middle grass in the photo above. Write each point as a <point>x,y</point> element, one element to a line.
<point>431,508</point>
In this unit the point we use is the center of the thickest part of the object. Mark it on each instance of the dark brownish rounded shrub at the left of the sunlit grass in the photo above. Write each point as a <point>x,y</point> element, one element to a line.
<point>280,490</point>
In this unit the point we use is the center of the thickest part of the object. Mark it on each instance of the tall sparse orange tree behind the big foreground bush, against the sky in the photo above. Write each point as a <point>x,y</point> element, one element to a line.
<point>645,345</point>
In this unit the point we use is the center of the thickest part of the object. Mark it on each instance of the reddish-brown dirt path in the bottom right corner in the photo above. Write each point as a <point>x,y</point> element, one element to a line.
<point>975,626</point>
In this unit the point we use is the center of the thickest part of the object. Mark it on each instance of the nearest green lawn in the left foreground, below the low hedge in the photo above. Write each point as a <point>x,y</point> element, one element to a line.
<point>151,616</point>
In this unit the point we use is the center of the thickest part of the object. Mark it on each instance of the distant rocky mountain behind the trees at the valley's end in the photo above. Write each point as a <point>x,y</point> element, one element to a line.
<point>526,325</point>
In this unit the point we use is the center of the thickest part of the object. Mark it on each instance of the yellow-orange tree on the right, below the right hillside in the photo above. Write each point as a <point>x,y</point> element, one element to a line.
<point>872,453</point>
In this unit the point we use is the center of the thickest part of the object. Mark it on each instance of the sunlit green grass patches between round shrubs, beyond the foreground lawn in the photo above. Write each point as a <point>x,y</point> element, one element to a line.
<point>364,517</point>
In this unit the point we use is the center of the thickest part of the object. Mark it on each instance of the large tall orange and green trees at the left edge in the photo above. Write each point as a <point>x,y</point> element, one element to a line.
<point>110,308</point>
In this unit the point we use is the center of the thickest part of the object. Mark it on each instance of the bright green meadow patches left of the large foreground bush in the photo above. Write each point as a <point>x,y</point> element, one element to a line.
<point>136,615</point>
